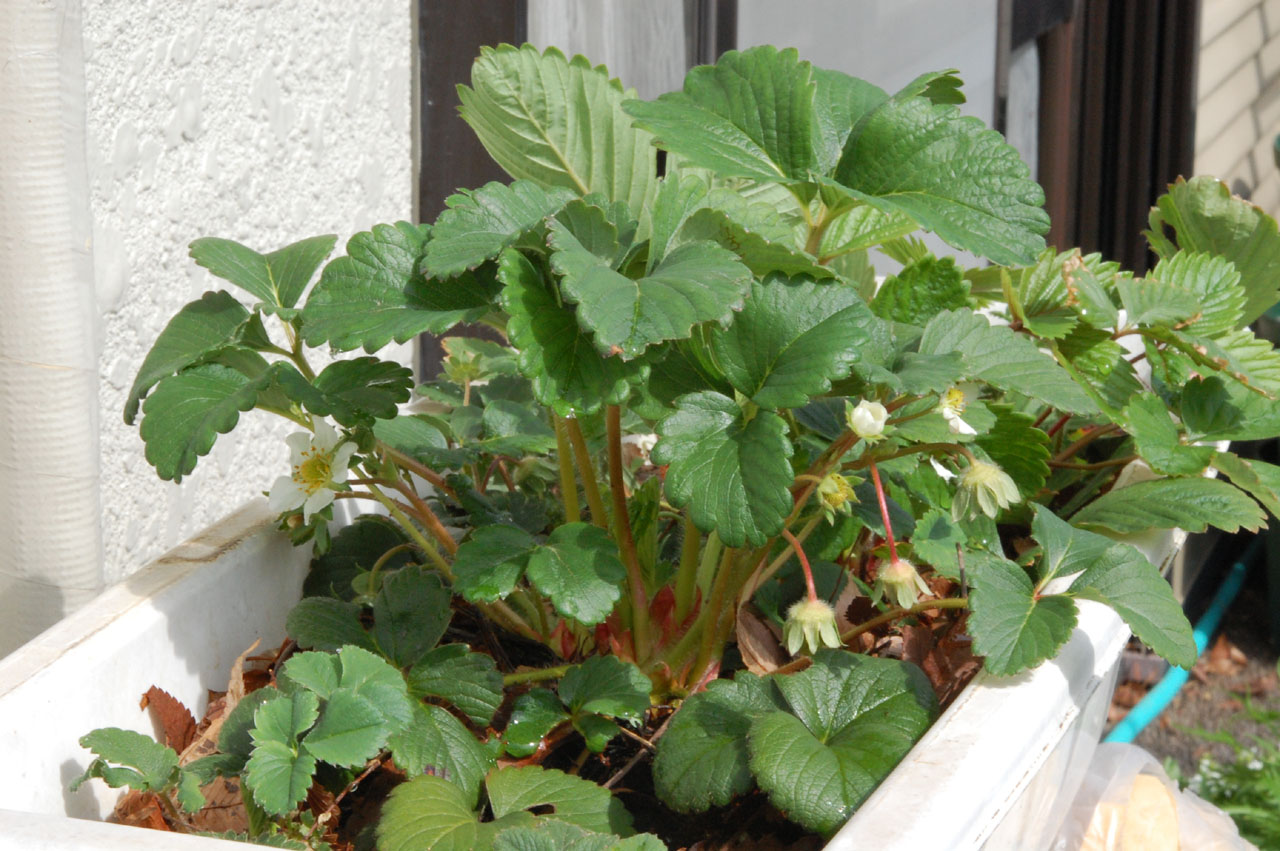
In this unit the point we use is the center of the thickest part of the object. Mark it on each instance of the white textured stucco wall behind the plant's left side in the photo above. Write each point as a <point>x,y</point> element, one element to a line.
<point>263,122</point>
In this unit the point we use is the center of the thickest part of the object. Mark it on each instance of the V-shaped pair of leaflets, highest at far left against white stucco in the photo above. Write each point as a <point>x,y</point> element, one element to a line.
<point>277,280</point>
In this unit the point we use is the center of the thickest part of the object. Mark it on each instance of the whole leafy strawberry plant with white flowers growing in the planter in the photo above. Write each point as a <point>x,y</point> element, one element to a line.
<point>716,454</point>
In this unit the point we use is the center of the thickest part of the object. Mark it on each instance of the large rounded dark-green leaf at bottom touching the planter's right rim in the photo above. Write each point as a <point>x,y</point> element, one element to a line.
<point>852,720</point>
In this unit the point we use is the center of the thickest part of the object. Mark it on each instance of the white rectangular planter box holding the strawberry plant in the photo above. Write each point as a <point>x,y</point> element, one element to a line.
<point>181,623</point>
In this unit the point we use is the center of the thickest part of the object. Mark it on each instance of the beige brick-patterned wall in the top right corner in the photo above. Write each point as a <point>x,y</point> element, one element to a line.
<point>1238,103</point>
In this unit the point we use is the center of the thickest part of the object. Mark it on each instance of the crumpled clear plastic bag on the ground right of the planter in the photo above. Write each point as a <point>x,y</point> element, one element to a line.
<point>1128,803</point>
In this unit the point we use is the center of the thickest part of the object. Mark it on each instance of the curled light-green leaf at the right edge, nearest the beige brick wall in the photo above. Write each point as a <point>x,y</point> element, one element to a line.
<point>1206,217</point>
